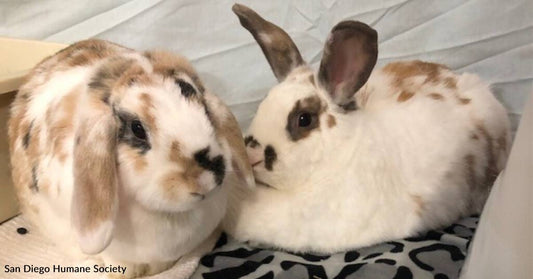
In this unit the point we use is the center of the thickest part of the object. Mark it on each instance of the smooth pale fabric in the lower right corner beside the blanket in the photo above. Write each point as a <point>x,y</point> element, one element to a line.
<point>503,244</point>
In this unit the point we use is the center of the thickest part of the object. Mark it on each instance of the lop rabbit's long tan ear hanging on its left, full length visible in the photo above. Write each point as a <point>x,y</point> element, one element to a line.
<point>95,197</point>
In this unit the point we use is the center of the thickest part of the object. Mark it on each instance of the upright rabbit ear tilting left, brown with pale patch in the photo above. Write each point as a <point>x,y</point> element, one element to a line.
<point>279,49</point>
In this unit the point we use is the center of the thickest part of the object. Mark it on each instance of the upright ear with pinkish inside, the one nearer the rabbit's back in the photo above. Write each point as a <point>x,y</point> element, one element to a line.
<point>349,56</point>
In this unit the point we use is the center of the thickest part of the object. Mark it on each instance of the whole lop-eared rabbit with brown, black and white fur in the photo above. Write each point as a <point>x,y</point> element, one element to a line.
<point>123,154</point>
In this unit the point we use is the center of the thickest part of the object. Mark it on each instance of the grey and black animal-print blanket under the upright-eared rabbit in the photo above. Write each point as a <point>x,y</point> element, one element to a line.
<point>437,254</point>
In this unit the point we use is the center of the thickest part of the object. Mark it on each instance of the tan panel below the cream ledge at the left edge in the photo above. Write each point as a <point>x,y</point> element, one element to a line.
<point>8,201</point>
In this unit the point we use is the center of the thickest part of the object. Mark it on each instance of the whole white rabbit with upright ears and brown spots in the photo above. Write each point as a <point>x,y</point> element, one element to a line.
<point>350,157</point>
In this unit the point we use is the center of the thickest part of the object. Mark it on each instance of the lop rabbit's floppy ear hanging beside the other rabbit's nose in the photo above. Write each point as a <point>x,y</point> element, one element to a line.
<point>227,128</point>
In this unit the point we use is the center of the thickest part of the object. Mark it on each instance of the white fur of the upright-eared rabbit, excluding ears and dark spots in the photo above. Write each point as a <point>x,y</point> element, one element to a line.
<point>353,184</point>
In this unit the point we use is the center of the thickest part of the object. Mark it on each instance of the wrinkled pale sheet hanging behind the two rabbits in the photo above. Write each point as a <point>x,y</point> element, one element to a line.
<point>493,38</point>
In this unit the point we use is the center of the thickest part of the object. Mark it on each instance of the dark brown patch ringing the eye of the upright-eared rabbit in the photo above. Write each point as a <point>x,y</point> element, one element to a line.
<point>311,105</point>
